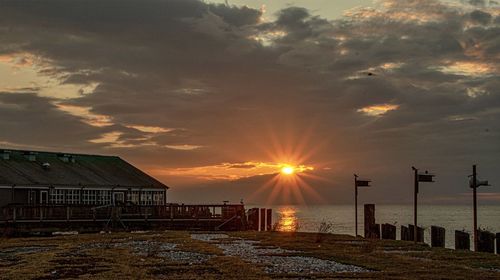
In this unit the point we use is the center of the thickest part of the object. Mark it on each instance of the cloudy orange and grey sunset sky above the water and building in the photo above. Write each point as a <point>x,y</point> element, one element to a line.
<point>214,98</point>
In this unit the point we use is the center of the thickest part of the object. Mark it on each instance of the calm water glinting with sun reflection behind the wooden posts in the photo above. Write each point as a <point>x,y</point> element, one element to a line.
<point>451,217</point>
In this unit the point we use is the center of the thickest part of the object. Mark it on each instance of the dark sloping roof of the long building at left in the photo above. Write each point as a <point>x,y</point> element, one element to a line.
<point>48,168</point>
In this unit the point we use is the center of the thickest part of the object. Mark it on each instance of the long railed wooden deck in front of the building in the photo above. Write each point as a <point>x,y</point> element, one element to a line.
<point>85,217</point>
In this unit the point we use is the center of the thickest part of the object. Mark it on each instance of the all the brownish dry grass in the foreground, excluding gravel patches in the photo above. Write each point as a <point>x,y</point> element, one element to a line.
<point>75,257</point>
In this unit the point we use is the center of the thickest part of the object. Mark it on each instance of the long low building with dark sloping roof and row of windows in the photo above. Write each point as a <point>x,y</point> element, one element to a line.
<point>45,178</point>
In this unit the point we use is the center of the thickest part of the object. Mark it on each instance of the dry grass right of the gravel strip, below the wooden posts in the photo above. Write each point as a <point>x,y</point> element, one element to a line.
<point>388,259</point>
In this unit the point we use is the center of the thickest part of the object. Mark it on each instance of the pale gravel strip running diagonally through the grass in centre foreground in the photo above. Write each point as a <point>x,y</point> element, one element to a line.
<point>275,260</point>
